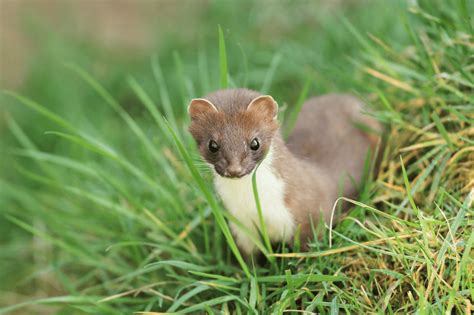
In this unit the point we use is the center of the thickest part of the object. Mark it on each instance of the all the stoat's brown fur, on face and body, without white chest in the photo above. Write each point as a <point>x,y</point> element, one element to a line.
<point>324,150</point>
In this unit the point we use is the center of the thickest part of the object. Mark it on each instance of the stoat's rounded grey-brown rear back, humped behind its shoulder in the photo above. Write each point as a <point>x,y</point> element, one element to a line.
<point>328,132</point>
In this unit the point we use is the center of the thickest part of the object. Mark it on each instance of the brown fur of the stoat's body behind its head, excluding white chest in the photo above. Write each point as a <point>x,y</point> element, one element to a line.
<point>327,150</point>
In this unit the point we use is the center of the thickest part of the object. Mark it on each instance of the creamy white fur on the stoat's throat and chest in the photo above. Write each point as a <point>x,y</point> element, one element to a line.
<point>238,197</point>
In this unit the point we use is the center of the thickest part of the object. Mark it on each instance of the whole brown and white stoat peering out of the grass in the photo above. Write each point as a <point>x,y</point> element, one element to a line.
<point>298,180</point>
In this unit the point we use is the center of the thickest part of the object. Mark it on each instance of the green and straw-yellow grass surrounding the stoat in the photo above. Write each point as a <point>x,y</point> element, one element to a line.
<point>105,207</point>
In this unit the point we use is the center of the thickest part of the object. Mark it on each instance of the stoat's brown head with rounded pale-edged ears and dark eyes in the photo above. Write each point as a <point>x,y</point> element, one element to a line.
<point>233,129</point>
